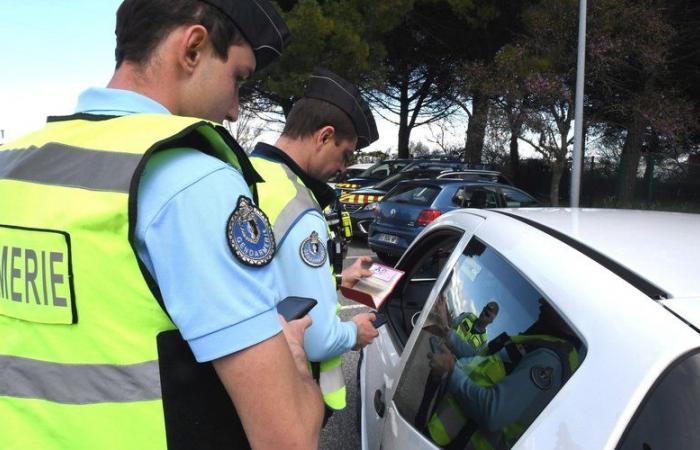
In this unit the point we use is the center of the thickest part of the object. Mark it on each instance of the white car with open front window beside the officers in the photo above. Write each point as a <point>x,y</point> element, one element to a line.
<point>619,291</point>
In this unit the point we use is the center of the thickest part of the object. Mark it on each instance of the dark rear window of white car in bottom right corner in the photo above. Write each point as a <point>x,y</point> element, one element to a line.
<point>667,418</point>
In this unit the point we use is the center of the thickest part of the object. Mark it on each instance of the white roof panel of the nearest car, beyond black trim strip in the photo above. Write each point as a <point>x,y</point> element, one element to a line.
<point>660,247</point>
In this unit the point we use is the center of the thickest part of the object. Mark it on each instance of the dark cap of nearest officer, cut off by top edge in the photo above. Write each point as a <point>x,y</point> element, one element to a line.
<point>260,24</point>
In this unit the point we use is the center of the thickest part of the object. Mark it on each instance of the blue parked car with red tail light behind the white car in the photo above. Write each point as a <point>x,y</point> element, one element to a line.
<point>405,210</point>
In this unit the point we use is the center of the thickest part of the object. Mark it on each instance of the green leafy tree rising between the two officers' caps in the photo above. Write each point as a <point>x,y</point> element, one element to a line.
<point>340,35</point>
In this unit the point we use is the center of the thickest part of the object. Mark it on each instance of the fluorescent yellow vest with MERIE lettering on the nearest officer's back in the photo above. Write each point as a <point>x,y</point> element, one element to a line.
<point>88,358</point>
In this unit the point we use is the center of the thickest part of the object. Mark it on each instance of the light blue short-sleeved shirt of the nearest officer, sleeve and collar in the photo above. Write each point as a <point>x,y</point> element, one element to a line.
<point>185,199</point>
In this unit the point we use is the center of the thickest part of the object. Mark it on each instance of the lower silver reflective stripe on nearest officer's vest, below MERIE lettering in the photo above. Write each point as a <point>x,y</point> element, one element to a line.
<point>79,384</point>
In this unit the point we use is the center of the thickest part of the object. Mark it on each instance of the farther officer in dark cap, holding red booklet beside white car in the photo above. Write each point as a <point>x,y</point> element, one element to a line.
<point>321,133</point>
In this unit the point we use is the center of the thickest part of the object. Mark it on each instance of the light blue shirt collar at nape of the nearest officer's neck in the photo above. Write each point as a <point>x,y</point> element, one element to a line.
<point>116,102</point>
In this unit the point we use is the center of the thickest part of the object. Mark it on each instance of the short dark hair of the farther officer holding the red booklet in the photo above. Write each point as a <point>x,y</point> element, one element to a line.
<point>309,115</point>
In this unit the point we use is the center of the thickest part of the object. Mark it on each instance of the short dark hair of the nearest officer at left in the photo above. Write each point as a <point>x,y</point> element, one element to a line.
<point>143,24</point>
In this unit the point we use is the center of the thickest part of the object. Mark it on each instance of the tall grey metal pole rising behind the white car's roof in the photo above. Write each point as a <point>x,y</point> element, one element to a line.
<point>578,129</point>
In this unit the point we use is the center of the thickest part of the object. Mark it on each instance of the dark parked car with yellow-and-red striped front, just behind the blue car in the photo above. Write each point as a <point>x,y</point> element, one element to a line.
<point>362,202</point>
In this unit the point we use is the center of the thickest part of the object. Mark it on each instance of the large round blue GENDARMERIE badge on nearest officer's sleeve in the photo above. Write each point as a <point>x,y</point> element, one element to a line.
<point>249,234</point>
